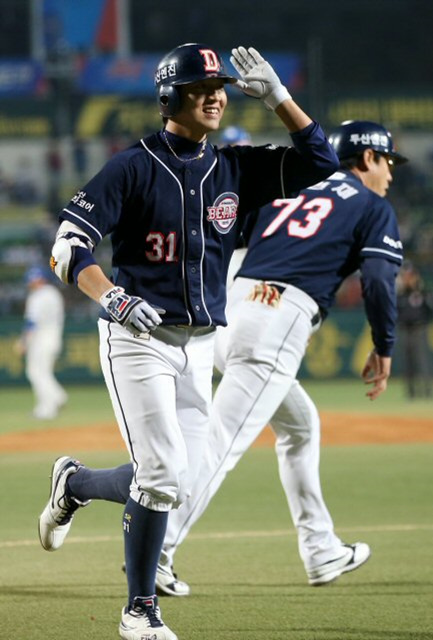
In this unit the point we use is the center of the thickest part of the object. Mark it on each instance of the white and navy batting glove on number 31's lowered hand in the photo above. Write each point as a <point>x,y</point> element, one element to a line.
<point>133,313</point>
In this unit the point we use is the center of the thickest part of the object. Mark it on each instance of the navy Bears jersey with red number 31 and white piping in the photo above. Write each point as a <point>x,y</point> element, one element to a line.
<point>174,223</point>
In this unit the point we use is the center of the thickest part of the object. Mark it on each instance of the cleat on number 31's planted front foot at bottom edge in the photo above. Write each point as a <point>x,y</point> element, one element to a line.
<point>143,621</point>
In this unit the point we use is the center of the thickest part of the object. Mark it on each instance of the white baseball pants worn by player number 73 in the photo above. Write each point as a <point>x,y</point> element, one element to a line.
<point>260,353</point>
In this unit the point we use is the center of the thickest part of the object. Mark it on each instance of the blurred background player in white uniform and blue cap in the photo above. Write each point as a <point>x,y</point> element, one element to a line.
<point>41,342</point>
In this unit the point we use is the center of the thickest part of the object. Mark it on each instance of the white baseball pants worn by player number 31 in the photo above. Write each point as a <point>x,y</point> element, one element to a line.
<point>161,391</point>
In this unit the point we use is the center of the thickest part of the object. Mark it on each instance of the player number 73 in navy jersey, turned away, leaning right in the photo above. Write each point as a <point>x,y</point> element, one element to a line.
<point>299,252</point>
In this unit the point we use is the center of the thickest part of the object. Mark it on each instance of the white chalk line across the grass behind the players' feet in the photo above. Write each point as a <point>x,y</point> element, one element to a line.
<point>231,535</point>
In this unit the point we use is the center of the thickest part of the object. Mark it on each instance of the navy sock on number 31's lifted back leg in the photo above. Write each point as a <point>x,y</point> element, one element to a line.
<point>101,484</point>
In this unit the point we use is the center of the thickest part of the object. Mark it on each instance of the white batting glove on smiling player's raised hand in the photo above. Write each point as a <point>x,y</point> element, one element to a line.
<point>259,80</point>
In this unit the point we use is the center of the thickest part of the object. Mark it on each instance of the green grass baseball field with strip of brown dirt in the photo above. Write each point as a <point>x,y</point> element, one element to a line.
<point>241,558</point>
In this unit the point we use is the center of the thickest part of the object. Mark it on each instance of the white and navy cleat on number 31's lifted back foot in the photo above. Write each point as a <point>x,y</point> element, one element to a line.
<point>56,519</point>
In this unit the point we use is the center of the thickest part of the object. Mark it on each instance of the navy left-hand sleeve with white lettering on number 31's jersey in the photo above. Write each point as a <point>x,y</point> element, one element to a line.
<point>97,207</point>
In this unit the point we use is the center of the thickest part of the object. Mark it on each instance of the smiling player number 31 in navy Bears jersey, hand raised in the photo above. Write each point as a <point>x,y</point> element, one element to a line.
<point>171,204</point>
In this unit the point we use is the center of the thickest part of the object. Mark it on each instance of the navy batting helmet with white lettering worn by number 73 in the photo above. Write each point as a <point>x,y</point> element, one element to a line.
<point>354,136</point>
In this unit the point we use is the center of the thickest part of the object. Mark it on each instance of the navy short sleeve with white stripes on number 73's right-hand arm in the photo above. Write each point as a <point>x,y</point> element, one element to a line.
<point>379,234</point>
